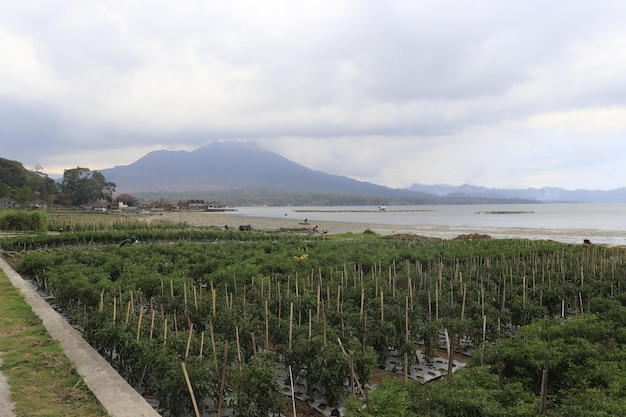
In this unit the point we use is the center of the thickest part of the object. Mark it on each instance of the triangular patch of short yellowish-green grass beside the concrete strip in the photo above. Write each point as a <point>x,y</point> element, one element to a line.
<point>43,381</point>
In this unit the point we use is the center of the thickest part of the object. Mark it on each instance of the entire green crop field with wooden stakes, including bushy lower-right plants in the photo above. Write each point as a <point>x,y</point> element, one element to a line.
<point>202,319</point>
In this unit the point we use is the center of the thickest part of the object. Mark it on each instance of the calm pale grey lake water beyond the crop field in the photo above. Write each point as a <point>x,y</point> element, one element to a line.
<point>570,223</point>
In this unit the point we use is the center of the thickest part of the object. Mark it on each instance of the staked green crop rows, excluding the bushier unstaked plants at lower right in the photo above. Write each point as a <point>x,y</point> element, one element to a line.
<point>231,307</point>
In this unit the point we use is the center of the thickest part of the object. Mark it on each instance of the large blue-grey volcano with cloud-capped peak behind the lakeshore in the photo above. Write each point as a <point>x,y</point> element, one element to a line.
<point>236,168</point>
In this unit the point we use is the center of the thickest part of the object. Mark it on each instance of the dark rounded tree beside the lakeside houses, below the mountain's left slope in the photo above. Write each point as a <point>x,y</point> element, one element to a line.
<point>82,185</point>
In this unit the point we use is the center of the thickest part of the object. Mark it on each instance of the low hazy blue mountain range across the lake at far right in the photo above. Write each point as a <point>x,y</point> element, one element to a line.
<point>544,195</point>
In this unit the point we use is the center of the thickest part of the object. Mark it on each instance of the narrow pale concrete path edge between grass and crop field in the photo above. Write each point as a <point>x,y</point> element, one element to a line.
<point>113,392</point>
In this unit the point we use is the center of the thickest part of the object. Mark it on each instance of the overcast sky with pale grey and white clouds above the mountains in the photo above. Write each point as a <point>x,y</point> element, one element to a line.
<point>492,93</point>
